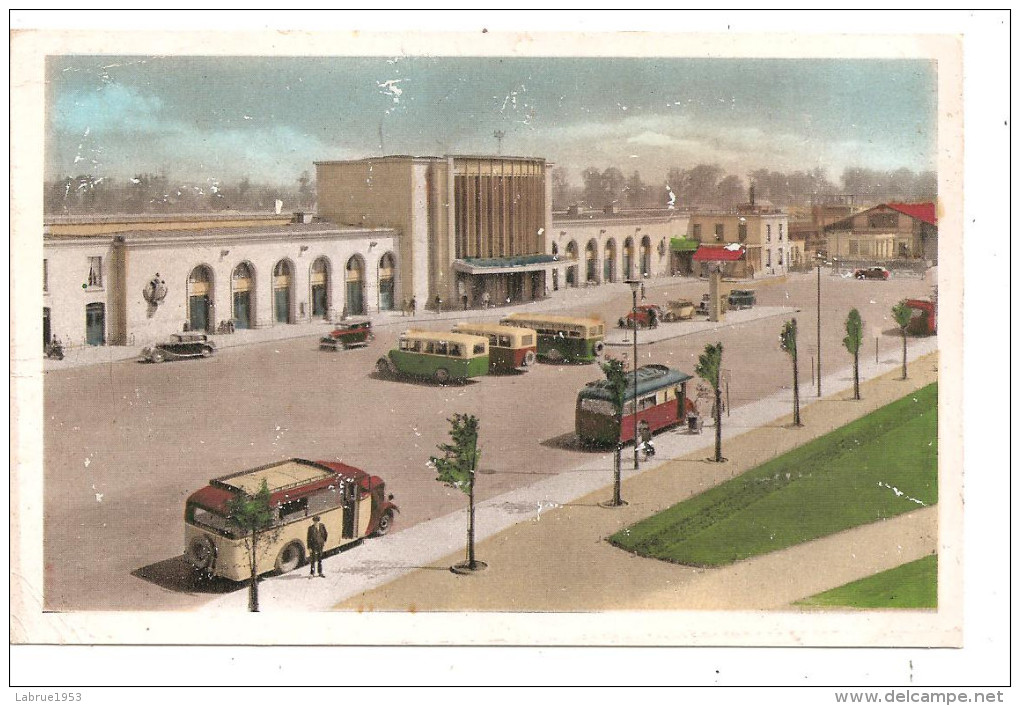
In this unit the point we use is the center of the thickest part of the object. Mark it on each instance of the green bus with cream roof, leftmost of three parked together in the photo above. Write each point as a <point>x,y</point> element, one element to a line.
<point>440,356</point>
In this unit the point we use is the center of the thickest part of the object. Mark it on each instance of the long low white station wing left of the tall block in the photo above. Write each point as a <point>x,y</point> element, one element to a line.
<point>137,286</point>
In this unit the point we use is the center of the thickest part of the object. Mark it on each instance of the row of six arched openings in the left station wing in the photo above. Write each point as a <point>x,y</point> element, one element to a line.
<point>244,289</point>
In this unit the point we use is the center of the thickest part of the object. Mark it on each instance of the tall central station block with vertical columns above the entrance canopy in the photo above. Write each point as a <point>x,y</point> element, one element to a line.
<point>475,227</point>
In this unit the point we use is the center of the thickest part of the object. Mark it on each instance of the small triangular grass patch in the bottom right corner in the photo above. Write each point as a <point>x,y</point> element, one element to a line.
<point>911,586</point>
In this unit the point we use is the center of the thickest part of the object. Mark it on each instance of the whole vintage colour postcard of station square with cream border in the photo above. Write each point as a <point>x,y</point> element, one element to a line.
<point>487,338</point>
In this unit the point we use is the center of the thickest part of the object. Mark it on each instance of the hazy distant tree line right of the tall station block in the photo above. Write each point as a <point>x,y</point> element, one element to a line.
<point>707,186</point>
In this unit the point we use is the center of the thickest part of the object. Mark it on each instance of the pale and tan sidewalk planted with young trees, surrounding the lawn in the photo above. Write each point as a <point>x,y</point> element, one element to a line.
<point>545,543</point>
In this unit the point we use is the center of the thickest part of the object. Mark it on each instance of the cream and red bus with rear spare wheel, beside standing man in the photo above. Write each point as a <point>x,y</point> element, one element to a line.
<point>351,503</point>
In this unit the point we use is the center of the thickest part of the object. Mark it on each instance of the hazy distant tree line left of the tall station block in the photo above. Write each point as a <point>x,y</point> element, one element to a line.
<point>147,193</point>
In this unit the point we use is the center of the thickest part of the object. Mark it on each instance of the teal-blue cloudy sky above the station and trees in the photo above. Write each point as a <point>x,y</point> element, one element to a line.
<point>271,119</point>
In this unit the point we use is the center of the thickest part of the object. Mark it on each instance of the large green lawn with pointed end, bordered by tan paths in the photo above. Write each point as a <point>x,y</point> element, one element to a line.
<point>879,467</point>
